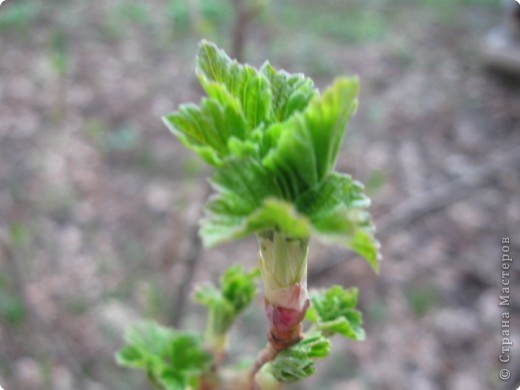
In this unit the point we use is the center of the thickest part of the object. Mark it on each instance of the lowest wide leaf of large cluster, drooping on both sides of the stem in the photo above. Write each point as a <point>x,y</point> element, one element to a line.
<point>334,210</point>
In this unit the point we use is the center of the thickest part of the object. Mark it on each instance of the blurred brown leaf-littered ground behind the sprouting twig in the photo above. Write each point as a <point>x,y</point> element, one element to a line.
<point>99,203</point>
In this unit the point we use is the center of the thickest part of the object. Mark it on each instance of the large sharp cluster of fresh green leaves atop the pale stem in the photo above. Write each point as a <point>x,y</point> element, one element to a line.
<point>273,140</point>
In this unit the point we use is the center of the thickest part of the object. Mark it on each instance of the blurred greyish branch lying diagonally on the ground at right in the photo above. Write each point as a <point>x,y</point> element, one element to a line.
<point>434,200</point>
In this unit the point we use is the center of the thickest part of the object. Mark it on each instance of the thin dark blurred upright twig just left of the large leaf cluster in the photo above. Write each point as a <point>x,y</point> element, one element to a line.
<point>191,261</point>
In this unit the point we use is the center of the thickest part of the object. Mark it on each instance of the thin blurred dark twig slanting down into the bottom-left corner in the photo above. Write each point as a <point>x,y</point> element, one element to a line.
<point>55,343</point>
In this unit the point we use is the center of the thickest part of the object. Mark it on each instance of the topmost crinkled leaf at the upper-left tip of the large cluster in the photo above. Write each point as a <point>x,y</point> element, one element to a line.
<point>243,82</point>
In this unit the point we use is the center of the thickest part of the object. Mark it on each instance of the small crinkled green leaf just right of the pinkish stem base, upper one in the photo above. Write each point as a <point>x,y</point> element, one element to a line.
<point>334,311</point>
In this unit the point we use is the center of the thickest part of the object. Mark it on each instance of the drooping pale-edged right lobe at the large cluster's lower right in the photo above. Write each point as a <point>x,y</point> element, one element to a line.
<point>337,208</point>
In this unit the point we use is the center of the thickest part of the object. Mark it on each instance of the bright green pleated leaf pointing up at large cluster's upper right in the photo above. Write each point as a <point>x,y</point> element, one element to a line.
<point>307,144</point>
